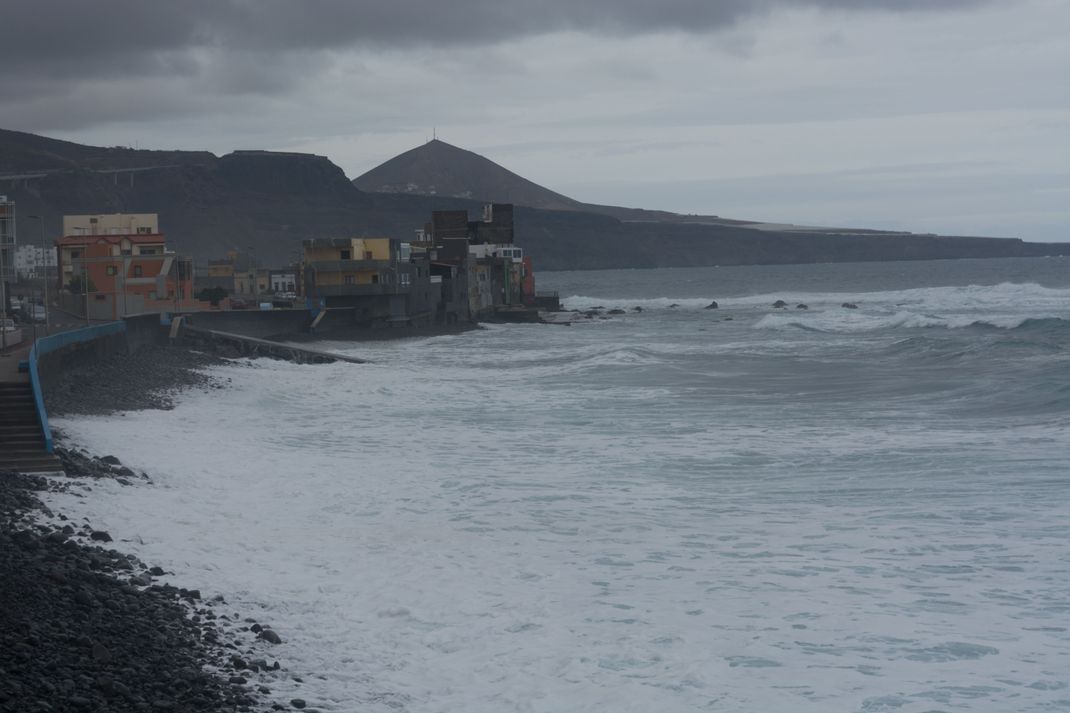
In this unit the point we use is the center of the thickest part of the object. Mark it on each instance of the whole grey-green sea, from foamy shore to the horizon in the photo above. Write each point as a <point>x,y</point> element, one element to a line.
<point>680,509</point>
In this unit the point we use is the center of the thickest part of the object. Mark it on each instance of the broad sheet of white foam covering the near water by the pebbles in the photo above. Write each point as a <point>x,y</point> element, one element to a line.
<point>493,554</point>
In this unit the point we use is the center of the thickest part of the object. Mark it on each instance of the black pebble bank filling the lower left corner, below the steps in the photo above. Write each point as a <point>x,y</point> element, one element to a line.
<point>74,636</point>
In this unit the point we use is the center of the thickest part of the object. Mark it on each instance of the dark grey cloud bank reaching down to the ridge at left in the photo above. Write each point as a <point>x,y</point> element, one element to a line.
<point>74,63</point>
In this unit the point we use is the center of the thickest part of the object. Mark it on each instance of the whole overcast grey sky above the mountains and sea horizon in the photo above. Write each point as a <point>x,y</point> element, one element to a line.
<point>943,116</point>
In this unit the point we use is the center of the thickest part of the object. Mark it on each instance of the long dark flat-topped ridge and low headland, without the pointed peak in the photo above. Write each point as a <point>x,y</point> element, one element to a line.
<point>267,203</point>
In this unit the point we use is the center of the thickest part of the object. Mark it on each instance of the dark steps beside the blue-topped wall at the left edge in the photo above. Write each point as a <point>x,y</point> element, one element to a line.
<point>22,442</point>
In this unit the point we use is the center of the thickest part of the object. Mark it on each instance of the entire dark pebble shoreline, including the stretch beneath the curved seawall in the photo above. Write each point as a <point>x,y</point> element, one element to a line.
<point>87,628</point>
